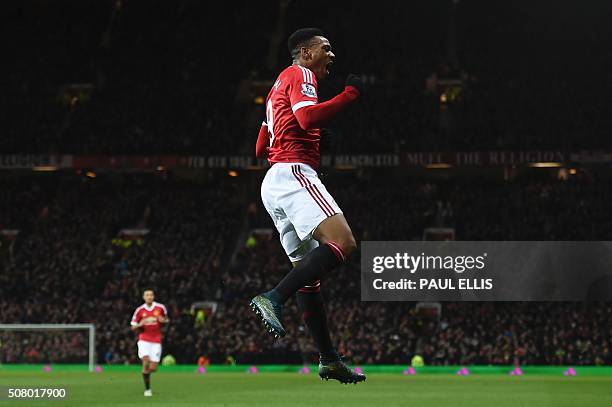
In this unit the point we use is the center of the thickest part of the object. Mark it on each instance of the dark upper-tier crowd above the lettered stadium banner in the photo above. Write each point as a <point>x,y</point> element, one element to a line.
<point>529,81</point>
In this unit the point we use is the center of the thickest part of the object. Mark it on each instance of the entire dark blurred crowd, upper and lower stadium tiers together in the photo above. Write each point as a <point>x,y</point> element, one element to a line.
<point>135,77</point>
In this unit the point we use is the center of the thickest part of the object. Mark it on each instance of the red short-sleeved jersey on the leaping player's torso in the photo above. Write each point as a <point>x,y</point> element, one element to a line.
<point>295,88</point>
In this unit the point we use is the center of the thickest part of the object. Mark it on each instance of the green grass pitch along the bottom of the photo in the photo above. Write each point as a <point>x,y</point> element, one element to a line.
<point>291,389</point>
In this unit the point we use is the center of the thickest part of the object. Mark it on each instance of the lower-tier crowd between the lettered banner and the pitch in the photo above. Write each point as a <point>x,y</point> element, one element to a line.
<point>70,264</point>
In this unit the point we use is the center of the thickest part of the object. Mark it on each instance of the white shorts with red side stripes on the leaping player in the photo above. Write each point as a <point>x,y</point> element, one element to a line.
<point>298,202</point>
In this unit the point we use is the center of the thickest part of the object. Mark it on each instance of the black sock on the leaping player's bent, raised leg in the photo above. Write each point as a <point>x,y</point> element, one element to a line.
<point>314,266</point>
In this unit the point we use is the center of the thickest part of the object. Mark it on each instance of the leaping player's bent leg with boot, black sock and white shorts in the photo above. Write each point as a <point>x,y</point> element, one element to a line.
<point>296,193</point>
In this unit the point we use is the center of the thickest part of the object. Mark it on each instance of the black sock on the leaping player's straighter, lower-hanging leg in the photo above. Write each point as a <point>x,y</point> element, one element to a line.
<point>313,313</point>
